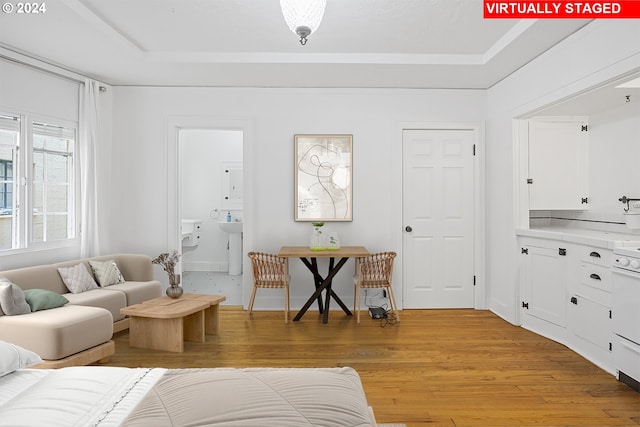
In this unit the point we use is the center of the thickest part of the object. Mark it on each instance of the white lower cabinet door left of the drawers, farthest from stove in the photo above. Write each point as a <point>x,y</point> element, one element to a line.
<point>544,280</point>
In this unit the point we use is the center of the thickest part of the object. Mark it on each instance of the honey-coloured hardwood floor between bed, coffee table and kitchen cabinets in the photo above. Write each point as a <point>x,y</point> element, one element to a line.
<point>435,368</point>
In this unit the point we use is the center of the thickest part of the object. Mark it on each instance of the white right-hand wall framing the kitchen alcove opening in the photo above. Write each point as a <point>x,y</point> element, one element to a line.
<point>597,54</point>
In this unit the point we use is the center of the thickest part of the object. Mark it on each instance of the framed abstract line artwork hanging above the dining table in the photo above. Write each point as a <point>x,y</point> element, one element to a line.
<point>323,177</point>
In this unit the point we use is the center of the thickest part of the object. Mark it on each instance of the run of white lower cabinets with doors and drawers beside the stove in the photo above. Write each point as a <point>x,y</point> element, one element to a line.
<point>565,293</point>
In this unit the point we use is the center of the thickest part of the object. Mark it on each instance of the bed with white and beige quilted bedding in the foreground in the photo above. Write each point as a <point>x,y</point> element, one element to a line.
<point>133,397</point>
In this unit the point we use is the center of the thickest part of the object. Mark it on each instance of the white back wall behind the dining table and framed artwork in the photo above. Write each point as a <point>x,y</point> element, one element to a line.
<point>274,116</point>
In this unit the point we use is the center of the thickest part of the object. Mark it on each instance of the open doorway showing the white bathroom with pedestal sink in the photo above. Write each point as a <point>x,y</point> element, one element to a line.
<point>211,192</point>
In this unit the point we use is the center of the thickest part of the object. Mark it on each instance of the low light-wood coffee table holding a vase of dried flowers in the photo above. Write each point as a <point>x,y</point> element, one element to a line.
<point>165,323</point>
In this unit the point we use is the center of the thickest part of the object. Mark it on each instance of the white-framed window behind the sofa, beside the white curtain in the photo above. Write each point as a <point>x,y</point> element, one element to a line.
<point>43,212</point>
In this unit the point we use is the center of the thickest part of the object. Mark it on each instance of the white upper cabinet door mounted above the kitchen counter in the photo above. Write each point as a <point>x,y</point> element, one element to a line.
<point>558,157</point>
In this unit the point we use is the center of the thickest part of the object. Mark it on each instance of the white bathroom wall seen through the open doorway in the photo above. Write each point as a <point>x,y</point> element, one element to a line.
<point>203,151</point>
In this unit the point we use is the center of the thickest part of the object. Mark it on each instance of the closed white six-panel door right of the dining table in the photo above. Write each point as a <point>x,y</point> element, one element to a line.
<point>438,209</point>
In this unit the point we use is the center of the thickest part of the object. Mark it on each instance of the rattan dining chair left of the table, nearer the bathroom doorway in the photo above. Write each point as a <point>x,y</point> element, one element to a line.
<point>272,272</point>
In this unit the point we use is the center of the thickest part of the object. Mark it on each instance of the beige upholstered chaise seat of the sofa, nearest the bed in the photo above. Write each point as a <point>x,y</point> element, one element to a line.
<point>60,332</point>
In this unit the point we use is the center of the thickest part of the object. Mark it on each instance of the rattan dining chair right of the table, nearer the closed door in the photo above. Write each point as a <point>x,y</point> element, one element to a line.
<point>374,271</point>
